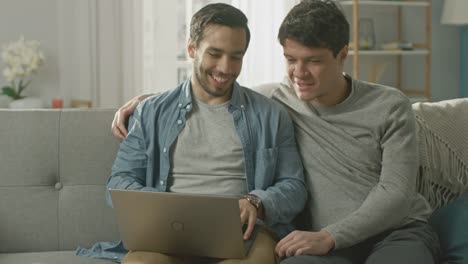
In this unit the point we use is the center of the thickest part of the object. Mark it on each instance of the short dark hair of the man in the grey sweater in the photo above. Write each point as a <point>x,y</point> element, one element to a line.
<point>317,24</point>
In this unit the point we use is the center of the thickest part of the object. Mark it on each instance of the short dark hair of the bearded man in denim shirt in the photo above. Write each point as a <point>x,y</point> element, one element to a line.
<point>217,14</point>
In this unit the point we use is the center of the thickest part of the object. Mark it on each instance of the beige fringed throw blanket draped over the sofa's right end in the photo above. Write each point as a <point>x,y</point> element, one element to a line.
<point>443,147</point>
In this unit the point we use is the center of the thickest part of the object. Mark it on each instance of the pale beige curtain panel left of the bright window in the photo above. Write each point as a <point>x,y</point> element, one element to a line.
<point>99,48</point>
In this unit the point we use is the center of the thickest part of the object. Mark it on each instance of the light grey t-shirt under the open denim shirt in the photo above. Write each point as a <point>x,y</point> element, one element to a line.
<point>208,156</point>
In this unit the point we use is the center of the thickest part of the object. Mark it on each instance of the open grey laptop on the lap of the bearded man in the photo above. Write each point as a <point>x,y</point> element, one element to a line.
<point>180,224</point>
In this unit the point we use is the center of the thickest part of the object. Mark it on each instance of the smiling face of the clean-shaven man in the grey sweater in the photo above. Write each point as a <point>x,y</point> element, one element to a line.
<point>317,75</point>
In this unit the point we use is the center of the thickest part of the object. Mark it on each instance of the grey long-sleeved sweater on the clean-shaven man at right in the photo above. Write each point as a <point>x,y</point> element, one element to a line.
<point>360,159</point>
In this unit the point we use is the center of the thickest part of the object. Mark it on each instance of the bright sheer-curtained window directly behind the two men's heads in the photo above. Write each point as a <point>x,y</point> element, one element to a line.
<point>165,65</point>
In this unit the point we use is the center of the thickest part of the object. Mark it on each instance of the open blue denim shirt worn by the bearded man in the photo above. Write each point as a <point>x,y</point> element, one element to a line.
<point>273,166</point>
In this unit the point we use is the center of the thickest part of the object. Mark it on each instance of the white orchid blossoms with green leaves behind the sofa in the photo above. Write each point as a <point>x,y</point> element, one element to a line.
<point>22,58</point>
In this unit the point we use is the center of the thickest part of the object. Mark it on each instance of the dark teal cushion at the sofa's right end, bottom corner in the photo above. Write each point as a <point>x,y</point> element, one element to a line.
<point>450,222</point>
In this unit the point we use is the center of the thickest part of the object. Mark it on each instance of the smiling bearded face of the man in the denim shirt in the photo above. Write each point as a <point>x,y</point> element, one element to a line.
<point>217,61</point>
